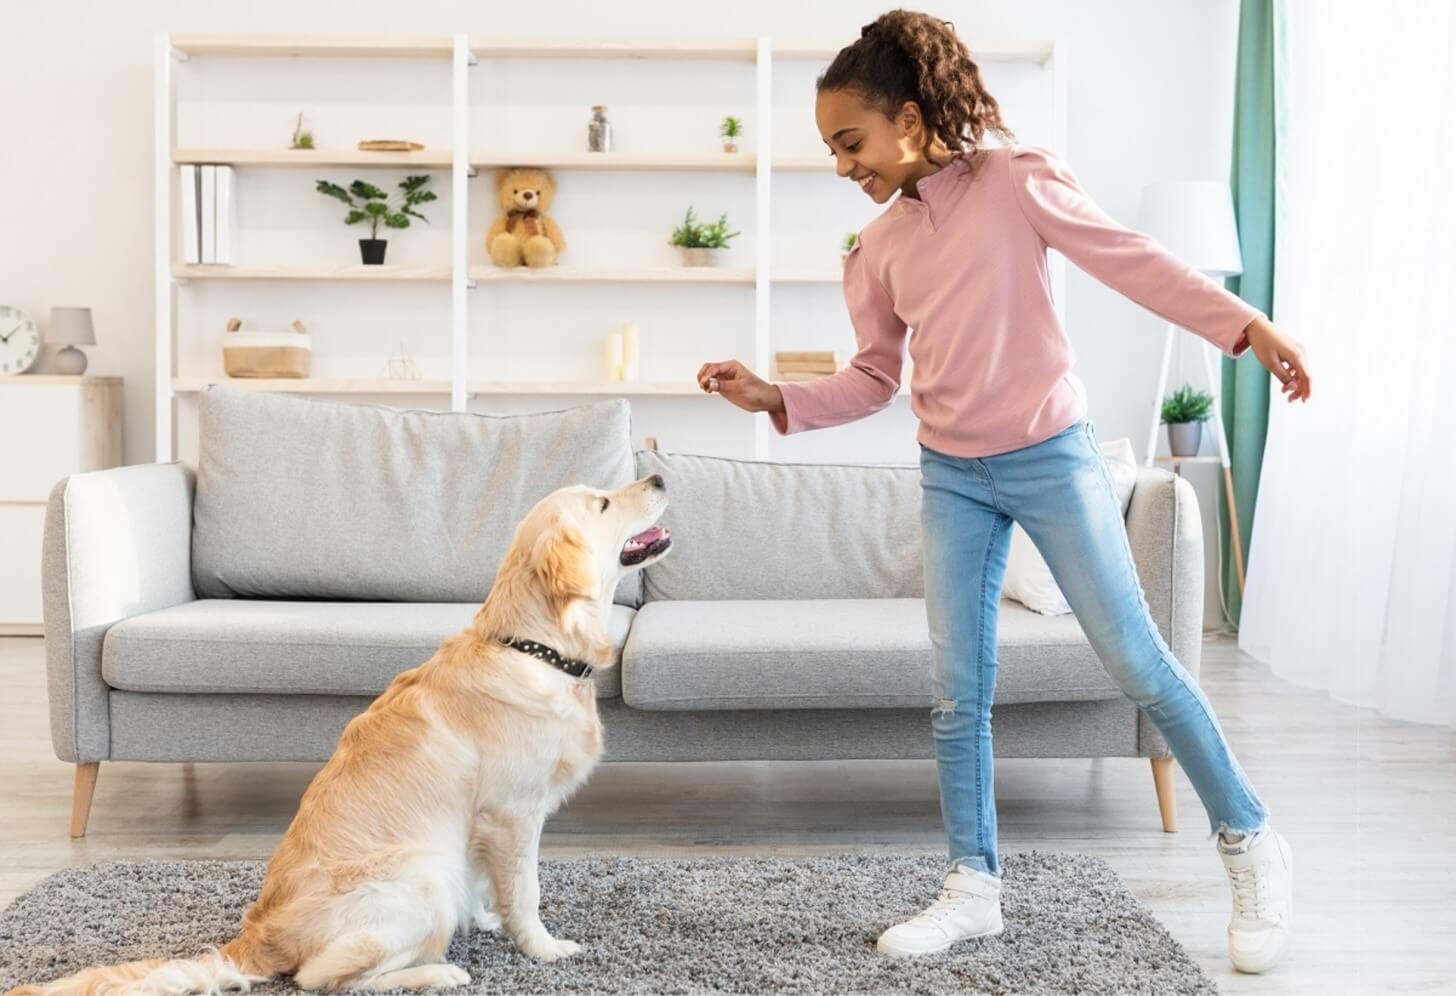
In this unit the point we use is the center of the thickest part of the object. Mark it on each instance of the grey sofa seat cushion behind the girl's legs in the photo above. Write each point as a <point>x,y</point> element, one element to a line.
<point>836,655</point>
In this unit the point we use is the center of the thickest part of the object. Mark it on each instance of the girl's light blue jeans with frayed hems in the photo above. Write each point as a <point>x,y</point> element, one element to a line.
<point>1062,494</point>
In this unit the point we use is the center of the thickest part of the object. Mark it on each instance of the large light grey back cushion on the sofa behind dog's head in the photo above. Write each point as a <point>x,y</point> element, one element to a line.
<point>301,499</point>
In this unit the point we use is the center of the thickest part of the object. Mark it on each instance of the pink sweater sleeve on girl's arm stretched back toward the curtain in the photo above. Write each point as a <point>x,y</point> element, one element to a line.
<point>1128,261</point>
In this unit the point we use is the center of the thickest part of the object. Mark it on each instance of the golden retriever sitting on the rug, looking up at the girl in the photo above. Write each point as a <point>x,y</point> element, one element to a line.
<point>429,815</point>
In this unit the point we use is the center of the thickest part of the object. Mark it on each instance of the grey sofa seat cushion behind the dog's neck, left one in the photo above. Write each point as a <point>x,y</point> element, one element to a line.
<point>241,646</point>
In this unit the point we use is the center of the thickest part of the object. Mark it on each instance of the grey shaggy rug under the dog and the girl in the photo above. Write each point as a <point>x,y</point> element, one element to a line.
<point>666,925</point>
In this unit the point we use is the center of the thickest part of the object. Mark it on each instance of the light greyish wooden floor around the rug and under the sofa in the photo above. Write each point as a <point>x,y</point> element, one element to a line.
<point>1368,805</point>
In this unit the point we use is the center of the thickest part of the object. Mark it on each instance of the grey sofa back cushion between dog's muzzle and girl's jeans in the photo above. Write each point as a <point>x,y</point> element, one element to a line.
<point>752,529</point>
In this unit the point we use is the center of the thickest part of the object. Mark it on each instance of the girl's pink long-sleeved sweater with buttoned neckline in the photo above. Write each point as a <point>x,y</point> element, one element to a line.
<point>966,267</point>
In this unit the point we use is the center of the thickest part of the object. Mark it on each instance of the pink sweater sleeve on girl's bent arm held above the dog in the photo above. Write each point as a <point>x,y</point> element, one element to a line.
<point>873,376</point>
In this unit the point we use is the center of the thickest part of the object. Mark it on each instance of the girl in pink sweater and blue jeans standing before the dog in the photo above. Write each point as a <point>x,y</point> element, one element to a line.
<point>960,257</point>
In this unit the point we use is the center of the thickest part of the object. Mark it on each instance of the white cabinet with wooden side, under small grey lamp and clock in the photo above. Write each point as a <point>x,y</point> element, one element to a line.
<point>53,427</point>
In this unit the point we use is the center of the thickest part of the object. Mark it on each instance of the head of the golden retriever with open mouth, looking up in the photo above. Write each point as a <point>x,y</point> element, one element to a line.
<point>582,541</point>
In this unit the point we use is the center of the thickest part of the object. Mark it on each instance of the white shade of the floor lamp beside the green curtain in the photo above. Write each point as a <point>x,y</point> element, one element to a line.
<point>1195,222</point>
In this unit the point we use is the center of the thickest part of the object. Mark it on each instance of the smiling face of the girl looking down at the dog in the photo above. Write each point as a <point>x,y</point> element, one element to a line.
<point>877,154</point>
